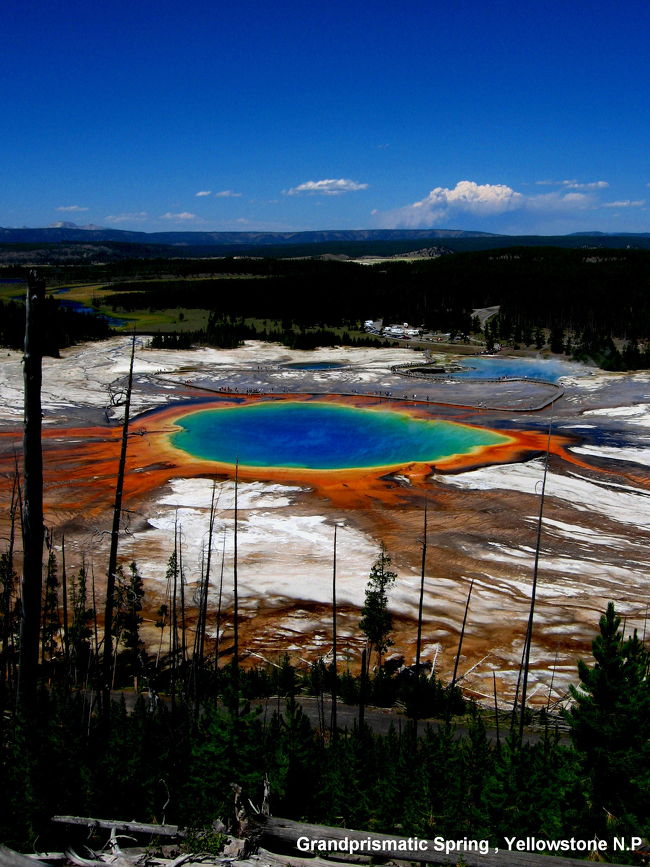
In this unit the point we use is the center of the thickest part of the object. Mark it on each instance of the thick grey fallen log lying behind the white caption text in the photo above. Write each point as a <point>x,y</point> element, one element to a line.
<point>286,834</point>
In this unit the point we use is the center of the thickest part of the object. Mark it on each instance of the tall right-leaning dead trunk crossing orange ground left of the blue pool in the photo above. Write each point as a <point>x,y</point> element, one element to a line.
<point>107,662</point>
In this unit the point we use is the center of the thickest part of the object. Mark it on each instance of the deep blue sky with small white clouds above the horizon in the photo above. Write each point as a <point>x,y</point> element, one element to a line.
<point>500,116</point>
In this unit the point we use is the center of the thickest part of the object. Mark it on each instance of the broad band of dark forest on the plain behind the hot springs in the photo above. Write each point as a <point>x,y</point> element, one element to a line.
<point>594,306</point>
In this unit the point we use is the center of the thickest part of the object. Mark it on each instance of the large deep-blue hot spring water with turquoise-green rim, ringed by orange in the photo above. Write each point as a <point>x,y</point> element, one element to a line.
<point>322,436</point>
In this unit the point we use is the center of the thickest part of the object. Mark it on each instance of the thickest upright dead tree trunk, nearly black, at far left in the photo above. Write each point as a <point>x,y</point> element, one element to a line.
<point>33,531</point>
